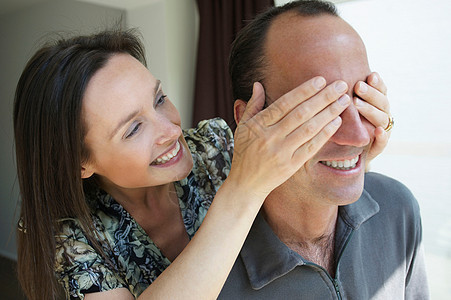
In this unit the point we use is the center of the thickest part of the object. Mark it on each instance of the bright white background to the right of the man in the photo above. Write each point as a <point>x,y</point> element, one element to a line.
<point>409,43</point>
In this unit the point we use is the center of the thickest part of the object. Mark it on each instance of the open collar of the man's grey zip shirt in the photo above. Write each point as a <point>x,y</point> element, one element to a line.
<point>267,258</point>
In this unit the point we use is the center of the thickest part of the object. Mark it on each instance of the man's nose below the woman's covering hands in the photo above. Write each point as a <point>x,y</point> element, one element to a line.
<point>352,131</point>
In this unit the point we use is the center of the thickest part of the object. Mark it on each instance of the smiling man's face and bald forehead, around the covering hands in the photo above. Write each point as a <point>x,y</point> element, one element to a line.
<point>297,49</point>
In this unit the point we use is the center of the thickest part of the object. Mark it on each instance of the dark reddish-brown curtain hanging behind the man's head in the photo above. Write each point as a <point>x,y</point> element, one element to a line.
<point>220,20</point>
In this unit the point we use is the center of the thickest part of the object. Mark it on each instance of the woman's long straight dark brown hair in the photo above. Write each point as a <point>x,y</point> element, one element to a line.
<point>49,140</point>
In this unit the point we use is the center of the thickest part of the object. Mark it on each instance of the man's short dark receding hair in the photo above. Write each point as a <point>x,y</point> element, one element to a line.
<point>247,60</point>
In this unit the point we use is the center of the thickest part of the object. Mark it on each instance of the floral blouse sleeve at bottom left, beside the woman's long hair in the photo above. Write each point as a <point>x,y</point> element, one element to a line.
<point>79,267</point>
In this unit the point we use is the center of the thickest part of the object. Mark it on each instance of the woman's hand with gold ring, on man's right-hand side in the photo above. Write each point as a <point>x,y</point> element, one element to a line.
<point>376,109</point>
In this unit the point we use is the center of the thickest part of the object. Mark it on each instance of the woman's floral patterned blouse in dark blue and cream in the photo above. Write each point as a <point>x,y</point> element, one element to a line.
<point>134,260</point>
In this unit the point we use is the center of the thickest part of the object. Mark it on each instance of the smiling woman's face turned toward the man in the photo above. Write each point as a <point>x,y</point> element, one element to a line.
<point>133,130</point>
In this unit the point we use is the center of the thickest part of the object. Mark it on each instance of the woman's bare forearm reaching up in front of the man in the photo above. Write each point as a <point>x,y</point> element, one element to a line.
<point>201,269</point>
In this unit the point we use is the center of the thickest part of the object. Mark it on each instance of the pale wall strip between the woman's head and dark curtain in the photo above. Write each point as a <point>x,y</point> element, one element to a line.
<point>170,31</point>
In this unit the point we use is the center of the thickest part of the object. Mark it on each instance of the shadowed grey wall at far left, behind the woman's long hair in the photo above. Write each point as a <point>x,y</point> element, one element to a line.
<point>19,33</point>
